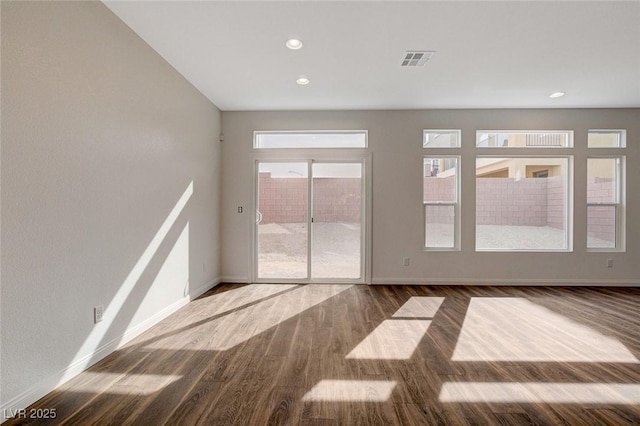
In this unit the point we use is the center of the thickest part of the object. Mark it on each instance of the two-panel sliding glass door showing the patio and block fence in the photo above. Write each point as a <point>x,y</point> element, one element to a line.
<point>309,221</point>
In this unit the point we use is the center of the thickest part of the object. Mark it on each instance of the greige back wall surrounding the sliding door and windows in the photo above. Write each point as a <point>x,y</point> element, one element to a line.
<point>395,143</point>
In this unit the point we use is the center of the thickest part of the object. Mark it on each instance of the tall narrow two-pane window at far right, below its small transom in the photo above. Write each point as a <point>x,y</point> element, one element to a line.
<point>604,206</point>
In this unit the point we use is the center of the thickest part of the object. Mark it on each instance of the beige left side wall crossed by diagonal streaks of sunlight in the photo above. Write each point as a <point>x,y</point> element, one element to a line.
<point>110,191</point>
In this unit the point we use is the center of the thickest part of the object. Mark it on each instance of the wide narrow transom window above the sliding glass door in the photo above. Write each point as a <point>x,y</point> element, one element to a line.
<point>279,140</point>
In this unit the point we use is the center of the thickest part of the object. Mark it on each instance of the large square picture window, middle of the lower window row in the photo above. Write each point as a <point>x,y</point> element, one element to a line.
<point>522,203</point>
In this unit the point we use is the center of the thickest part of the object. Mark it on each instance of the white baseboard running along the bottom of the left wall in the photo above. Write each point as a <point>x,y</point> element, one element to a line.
<point>55,380</point>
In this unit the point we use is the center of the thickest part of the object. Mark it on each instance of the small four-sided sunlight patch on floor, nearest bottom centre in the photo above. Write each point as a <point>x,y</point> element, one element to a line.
<point>351,390</point>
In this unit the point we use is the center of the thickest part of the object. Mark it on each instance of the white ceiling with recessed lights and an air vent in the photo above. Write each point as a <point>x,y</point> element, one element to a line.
<point>507,54</point>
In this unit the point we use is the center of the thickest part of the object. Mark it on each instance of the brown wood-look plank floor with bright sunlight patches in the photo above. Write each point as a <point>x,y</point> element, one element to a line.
<point>343,355</point>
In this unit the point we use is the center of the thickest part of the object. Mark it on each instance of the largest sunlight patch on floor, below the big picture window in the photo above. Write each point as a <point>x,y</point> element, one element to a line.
<point>516,329</point>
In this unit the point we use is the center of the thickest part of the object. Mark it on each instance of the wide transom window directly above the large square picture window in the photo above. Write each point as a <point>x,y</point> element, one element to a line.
<point>524,139</point>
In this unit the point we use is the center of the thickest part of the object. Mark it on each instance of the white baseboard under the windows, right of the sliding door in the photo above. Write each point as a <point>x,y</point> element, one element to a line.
<point>506,282</point>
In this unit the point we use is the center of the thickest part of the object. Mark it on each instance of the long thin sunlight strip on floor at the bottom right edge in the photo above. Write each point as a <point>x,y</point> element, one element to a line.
<point>551,393</point>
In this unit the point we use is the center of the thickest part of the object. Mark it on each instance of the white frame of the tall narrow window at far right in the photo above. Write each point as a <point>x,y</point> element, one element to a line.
<point>618,204</point>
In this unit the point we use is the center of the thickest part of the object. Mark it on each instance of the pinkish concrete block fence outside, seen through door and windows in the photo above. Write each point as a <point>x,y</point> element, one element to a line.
<point>499,201</point>
